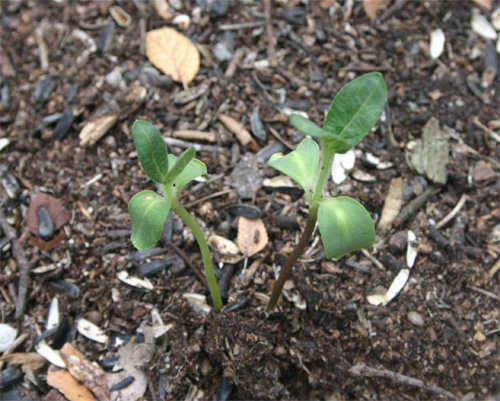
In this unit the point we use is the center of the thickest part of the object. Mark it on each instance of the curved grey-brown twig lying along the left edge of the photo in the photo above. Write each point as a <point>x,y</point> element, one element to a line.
<point>22,264</point>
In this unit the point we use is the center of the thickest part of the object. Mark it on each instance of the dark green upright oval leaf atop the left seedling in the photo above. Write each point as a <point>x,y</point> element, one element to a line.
<point>151,150</point>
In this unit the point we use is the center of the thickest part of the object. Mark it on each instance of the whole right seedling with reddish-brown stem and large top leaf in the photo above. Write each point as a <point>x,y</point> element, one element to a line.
<point>344,224</point>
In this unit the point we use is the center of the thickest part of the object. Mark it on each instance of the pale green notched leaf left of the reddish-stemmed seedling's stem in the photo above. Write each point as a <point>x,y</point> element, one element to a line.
<point>301,165</point>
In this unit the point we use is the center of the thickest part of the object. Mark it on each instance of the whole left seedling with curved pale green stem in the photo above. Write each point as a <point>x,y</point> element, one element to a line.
<point>149,210</point>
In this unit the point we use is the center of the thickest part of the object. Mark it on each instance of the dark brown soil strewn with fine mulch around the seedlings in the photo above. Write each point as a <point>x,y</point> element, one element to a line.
<point>244,353</point>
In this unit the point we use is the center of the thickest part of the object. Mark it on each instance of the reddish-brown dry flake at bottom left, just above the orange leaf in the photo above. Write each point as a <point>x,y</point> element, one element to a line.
<point>85,371</point>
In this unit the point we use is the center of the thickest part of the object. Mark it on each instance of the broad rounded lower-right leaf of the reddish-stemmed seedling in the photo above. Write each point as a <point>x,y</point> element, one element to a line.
<point>345,226</point>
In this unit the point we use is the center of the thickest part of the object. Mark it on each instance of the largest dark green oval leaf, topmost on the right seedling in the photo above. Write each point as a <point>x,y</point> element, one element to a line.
<point>356,109</point>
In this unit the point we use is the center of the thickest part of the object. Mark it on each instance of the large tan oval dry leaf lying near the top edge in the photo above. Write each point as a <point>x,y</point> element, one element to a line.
<point>173,53</point>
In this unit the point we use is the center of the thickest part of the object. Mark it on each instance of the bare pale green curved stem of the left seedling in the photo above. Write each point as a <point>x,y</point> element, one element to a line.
<point>205,252</point>
